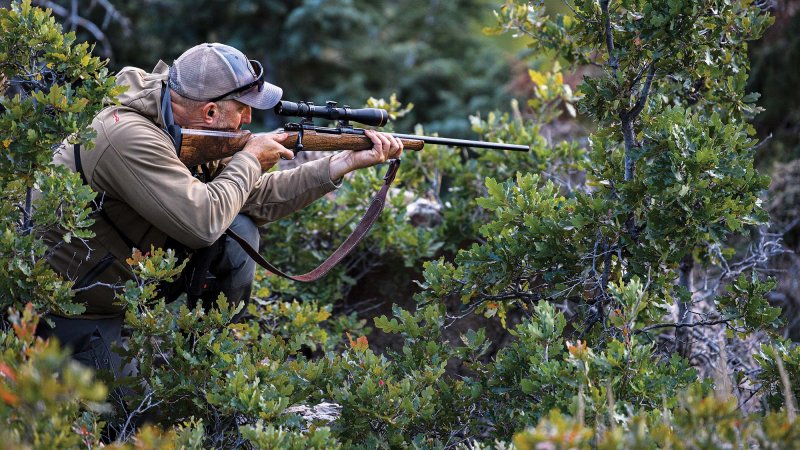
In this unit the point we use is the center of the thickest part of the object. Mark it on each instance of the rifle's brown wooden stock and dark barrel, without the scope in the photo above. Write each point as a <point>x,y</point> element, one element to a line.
<point>201,146</point>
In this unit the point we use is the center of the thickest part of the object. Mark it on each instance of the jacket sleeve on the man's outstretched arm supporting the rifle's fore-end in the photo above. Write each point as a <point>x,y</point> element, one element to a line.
<point>278,194</point>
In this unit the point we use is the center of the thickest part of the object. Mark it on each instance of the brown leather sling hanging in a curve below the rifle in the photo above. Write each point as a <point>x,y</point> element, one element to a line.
<point>374,210</point>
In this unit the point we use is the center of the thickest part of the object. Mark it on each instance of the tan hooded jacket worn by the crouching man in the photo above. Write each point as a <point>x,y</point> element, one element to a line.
<point>149,194</point>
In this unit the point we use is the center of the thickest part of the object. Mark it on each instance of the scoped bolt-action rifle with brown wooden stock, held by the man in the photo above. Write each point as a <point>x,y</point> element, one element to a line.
<point>200,146</point>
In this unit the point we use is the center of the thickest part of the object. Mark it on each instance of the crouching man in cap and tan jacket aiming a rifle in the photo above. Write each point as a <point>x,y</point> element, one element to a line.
<point>150,198</point>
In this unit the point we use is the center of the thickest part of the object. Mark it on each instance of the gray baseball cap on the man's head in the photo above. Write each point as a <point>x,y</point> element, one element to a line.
<point>214,72</point>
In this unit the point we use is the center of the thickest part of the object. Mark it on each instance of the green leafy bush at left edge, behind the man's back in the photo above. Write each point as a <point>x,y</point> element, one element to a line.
<point>52,89</point>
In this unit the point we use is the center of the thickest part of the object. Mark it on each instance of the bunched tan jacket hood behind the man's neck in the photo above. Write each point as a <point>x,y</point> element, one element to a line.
<point>144,90</point>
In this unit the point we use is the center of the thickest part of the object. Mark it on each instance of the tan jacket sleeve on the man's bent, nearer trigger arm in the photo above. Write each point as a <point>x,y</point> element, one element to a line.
<point>141,169</point>
